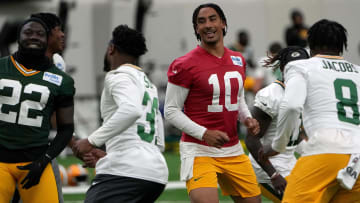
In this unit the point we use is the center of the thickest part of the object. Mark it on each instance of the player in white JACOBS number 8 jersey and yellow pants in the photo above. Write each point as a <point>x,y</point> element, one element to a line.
<point>326,89</point>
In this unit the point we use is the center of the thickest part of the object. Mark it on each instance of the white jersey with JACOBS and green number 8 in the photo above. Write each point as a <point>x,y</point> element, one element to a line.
<point>329,95</point>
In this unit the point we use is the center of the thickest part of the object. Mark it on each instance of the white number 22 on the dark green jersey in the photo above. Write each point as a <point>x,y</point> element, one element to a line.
<point>14,99</point>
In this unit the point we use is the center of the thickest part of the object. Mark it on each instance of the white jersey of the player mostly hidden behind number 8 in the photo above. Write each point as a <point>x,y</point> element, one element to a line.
<point>268,100</point>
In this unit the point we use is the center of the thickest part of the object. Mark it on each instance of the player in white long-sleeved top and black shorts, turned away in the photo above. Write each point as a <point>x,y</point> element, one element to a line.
<point>133,170</point>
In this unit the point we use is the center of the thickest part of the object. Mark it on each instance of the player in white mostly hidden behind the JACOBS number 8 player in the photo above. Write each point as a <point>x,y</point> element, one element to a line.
<point>271,172</point>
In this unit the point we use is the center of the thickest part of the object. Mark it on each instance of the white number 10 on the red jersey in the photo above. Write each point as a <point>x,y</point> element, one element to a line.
<point>214,81</point>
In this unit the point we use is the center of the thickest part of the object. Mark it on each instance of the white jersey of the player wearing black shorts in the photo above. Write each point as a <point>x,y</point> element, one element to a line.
<point>132,129</point>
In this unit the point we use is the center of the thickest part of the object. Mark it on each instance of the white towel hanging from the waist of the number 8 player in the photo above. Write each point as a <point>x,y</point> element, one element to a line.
<point>348,175</point>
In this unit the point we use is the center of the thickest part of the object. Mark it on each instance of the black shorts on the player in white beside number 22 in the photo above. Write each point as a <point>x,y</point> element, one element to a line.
<point>116,189</point>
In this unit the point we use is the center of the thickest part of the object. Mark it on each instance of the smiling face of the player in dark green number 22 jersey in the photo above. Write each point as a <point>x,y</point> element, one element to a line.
<point>33,36</point>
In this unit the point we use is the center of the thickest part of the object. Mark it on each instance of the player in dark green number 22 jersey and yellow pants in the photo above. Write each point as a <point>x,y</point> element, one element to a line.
<point>32,88</point>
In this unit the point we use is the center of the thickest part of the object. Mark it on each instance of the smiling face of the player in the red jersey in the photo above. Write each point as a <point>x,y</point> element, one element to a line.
<point>209,26</point>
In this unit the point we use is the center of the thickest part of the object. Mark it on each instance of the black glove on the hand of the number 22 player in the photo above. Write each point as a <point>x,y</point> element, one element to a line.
<point>36,169</point>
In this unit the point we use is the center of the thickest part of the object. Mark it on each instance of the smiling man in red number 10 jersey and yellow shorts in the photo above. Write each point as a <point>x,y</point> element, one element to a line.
<point>208,83</point>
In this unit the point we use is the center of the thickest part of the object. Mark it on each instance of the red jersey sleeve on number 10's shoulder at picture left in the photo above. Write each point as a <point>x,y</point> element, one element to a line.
<point>179,74</point>
